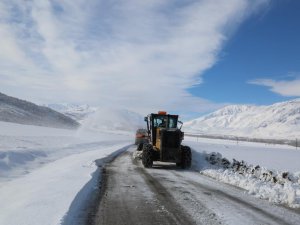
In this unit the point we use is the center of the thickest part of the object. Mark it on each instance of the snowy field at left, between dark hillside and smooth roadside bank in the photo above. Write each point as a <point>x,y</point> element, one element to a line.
<point>24,148</point>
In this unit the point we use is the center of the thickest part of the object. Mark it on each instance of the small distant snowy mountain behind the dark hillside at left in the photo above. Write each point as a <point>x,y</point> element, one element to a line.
<point>76,112</point>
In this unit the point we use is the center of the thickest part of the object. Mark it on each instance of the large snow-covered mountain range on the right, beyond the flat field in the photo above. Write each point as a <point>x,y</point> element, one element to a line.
<point>280,120</point>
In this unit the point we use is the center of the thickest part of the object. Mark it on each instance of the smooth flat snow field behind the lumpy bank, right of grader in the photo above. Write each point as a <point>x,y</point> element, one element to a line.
<point>277,157</point>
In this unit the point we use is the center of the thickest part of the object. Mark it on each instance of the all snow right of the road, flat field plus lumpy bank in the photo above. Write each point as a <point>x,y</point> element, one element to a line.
<point>273,161</point>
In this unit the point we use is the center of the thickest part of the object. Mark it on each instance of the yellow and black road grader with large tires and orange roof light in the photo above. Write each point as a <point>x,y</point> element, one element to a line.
<point>165,141</point>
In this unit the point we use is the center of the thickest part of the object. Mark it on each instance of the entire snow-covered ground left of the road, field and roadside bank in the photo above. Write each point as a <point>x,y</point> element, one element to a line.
<point>47,174</point>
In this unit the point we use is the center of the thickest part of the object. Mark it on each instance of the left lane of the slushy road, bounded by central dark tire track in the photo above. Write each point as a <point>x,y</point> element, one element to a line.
<point>131,197</point>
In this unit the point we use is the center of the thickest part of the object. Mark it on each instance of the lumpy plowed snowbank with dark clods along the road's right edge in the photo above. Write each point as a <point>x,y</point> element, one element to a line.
<point>276,186</point>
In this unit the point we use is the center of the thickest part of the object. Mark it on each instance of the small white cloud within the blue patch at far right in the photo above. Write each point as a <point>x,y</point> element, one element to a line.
<point>288,88</point>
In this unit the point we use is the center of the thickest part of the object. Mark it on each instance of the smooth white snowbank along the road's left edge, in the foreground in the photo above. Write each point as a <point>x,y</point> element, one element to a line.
<point>46,195</point>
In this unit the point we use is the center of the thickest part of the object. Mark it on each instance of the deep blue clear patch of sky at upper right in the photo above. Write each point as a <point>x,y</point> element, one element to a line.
<point>266,46</point>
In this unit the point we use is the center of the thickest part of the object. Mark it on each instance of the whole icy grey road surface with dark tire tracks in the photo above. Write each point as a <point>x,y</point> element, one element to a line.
<point>165,194</point>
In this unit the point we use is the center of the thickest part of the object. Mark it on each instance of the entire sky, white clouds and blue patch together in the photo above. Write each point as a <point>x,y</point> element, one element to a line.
<point>186,56</point>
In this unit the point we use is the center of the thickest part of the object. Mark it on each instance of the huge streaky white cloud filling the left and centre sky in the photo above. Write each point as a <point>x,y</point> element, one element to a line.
<point>141,55</point>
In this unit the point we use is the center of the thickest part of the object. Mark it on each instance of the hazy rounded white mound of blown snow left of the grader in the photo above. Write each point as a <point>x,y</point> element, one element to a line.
<point>113,120</point>
